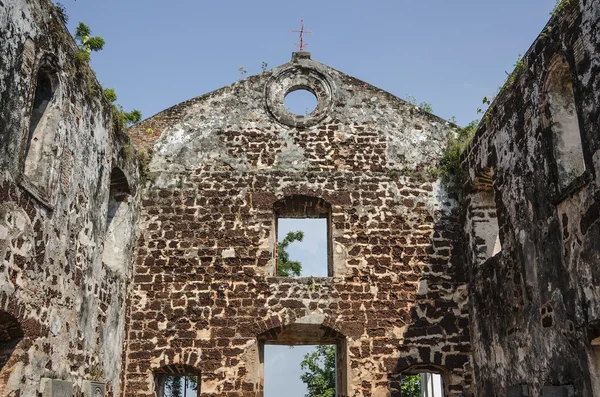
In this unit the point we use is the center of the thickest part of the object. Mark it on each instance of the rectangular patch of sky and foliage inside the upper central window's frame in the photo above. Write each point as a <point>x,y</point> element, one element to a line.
<point>310,257</point>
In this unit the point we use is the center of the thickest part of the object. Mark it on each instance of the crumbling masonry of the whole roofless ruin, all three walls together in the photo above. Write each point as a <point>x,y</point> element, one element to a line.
<point>127,256</point>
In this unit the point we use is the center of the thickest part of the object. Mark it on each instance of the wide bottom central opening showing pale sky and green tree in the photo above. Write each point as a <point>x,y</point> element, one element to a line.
<point>284,374</point>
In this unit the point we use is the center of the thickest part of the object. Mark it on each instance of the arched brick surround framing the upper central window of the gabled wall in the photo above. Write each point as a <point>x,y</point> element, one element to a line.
<point>300,206</point>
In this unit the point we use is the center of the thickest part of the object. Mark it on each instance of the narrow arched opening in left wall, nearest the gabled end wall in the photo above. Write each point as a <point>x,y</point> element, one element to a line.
<point>118,222</point>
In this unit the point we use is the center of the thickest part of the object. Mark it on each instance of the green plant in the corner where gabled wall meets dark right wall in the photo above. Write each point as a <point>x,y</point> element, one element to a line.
<point>450,169</point>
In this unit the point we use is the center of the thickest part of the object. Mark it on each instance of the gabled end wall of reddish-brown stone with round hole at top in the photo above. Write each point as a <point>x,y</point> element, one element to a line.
<point>205,295</point>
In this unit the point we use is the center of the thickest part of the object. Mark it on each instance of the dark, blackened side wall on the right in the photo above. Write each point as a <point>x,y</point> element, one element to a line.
<point>535,304</point>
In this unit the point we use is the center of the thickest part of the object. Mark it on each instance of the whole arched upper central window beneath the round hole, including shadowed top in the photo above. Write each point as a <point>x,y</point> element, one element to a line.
<point>302,226</point>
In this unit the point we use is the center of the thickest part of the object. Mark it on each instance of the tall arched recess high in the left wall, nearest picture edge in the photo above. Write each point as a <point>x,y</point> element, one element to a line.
<point>39,164</point>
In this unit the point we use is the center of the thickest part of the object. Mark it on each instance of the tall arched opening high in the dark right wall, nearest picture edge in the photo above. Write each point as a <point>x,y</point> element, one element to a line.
<point>561,118</point>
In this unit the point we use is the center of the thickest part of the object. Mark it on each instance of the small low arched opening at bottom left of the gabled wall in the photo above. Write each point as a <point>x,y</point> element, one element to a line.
<point>177,380</point>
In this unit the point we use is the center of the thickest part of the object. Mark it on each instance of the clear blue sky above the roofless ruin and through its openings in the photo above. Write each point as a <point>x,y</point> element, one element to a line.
<point>447,53</point>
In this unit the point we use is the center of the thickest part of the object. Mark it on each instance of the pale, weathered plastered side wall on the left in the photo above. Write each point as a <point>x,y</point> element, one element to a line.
<point>62,310</point>
